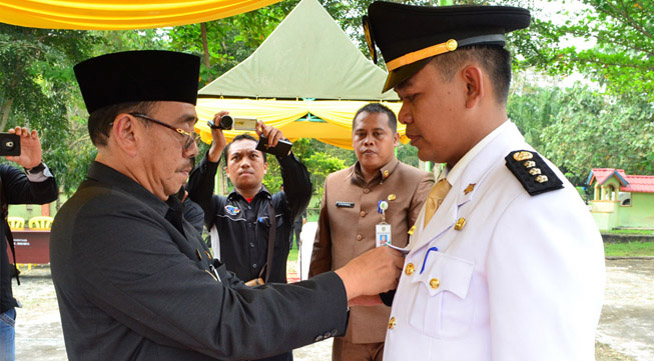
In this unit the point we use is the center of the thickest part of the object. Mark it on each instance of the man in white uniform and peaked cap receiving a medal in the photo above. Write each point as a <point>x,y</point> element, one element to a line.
<point>511,265</point>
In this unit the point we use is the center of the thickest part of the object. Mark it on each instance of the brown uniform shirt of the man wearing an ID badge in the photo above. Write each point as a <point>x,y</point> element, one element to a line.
<point>346,228</point>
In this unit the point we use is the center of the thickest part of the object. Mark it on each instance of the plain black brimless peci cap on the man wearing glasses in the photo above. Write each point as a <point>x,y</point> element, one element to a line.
<point>133,76</point>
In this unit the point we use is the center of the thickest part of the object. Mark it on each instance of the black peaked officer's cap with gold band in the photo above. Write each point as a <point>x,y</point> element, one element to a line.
<point>408,36</point>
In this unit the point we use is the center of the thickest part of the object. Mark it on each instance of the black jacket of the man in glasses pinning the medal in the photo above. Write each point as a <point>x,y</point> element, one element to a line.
<point>134,282</point>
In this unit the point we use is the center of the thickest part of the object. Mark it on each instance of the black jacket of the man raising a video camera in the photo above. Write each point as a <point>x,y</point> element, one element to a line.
<point>243,227</point>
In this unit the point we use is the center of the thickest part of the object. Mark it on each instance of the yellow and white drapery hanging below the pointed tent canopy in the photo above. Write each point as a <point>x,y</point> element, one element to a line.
<point>336,128</point>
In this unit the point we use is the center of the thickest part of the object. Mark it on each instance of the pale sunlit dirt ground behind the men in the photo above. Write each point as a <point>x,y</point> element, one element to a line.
<point>625,332</point>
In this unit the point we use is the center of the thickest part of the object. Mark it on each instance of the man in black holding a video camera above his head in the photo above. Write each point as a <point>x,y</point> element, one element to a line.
<point>240,223</point>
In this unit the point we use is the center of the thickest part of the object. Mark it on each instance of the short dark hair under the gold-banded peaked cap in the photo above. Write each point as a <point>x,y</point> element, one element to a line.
<point>494,59</point>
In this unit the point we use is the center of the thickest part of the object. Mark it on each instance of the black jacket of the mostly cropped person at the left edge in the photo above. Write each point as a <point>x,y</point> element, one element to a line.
<point>17,189</point>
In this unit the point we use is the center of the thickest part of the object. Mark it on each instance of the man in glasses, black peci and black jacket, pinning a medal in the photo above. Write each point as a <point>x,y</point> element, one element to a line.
<point>134,280</point>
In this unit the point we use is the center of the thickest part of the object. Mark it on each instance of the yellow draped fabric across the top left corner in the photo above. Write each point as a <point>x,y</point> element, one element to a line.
<point>120,14</point>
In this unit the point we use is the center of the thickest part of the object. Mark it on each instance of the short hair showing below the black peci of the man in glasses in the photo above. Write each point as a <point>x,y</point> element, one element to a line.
<point>101,120</point>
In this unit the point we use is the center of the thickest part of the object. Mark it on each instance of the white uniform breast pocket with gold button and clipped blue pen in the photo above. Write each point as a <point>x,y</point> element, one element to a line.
<point>441,307</point>
